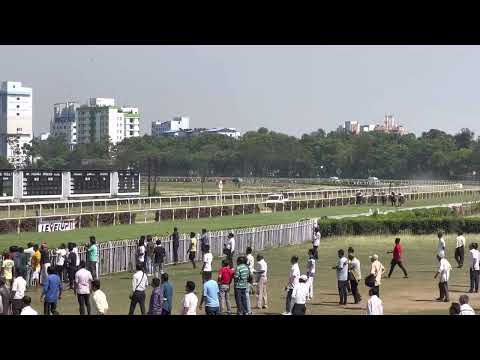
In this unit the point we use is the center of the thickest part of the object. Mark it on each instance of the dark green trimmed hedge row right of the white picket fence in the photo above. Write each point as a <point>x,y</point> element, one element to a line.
<point>417,226</point>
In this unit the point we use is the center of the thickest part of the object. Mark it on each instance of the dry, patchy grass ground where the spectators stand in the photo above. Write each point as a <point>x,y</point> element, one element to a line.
<point>415,295</point>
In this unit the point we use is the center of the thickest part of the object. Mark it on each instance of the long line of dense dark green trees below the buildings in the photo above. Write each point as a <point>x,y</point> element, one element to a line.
<point>265,153</point>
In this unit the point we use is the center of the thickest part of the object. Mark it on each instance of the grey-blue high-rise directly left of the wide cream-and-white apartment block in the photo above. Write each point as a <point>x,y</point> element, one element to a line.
<point>64,122</point>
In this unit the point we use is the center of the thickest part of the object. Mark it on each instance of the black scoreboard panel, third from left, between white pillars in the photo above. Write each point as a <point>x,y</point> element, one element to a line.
<point>85,182</point>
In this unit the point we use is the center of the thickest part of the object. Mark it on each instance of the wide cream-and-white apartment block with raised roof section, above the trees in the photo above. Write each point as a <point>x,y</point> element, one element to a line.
<point>100,119</point>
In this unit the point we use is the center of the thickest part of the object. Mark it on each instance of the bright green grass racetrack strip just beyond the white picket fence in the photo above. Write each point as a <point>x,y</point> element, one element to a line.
<point>120,232</point>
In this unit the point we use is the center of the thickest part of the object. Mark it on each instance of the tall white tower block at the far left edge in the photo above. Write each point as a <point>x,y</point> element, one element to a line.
<point>15,120</point>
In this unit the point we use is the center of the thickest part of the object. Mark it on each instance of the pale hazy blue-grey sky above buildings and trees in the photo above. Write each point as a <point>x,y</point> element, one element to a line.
<point>292,89</point>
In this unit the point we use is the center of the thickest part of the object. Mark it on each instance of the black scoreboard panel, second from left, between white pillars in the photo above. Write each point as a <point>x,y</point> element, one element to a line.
<point>42,183</point>
